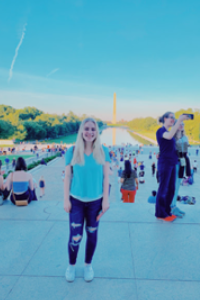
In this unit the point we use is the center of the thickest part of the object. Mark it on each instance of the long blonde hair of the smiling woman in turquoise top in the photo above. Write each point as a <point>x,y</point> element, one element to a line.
<point>98,153</point>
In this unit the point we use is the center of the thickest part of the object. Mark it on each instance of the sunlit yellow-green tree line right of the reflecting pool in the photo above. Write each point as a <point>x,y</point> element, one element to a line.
<point>151,125</point>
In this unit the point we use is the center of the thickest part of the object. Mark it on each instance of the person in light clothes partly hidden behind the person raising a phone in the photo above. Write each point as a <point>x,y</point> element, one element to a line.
<point>183,166</point>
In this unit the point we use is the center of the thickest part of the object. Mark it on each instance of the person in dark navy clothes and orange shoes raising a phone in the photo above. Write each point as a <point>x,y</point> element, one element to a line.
<point>167,162</point>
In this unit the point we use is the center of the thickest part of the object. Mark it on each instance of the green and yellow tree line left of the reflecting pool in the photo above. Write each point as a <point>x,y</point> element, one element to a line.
<point>31,123</point>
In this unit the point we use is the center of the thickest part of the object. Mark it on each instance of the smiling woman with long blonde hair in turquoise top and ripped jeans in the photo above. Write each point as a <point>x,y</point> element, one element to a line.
<point>86,195</point>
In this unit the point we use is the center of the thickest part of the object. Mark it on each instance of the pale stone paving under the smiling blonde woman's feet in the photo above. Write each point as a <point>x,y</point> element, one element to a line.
<point>138,257</point>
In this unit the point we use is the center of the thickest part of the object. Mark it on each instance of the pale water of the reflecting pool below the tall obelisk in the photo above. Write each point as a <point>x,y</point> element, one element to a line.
<point>117,136</point>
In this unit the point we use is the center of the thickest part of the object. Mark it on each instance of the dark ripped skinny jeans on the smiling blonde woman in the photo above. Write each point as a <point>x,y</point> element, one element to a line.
<point>80,212</point>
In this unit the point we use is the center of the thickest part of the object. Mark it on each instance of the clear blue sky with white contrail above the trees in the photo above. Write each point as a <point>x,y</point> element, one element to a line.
<point>74,54</point>
